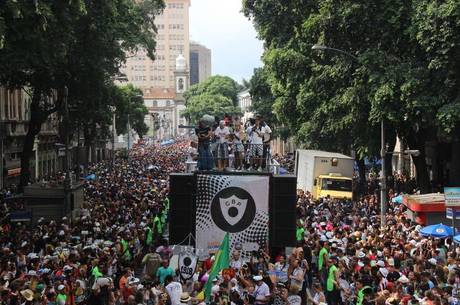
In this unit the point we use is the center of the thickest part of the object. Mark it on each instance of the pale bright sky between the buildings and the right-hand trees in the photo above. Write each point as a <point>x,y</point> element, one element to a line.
<point>220,26</point>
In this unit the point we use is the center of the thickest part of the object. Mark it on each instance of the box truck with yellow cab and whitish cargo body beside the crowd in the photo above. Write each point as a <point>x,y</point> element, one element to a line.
<point>324,173</point>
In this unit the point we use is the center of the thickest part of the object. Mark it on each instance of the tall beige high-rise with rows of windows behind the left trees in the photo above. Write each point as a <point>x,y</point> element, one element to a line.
<point>172,40</point>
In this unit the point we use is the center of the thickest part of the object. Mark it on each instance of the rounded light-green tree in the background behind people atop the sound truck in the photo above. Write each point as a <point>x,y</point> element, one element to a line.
<point>216,96</point>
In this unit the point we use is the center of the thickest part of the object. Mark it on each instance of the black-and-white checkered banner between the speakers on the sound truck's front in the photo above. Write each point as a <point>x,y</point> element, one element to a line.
<point>234,204</point>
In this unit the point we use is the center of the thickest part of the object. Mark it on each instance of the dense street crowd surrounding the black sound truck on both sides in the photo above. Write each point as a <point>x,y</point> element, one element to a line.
<point>115,251</point>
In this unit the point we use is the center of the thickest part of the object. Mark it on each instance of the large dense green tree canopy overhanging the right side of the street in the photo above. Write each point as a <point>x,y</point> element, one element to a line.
<point>406,73</point>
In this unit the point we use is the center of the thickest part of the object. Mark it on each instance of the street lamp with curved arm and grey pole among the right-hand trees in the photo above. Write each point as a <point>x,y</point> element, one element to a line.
<point>383,186</point>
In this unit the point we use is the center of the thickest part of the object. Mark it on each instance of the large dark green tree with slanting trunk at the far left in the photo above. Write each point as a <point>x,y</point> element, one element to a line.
<point>80,44</point>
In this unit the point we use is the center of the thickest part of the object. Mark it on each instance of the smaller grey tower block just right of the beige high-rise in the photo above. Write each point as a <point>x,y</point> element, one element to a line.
<point>200,63</point>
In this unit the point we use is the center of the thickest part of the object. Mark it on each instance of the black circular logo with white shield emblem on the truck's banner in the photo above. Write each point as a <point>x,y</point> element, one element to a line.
<point>233,209</point>
